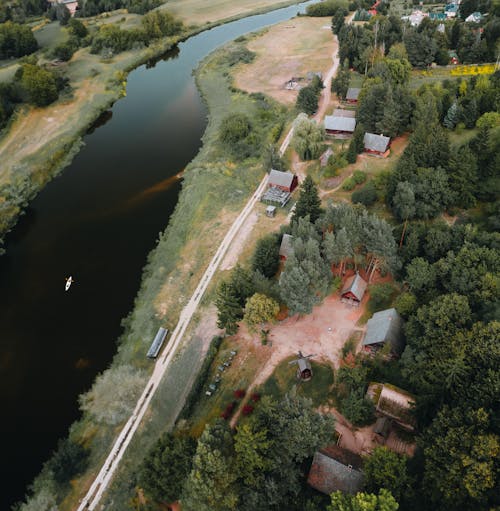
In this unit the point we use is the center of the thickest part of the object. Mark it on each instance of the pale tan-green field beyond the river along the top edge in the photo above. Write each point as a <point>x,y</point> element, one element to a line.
<point>200,12</point>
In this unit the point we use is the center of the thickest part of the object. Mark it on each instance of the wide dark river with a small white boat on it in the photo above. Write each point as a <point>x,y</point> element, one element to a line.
<point>96,222</point>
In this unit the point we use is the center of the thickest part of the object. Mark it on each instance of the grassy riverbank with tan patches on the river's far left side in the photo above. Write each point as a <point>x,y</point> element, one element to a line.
<point>41,143</point>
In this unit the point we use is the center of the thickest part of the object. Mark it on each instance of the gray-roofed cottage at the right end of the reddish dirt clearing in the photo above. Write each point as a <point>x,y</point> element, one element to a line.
<point>384,327</point>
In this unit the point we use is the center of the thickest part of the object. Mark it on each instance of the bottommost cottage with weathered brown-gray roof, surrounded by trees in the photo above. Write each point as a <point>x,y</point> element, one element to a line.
<point>336,469</point>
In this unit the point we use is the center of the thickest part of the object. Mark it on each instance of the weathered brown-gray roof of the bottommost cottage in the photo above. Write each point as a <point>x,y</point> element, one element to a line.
<point>328,475</point>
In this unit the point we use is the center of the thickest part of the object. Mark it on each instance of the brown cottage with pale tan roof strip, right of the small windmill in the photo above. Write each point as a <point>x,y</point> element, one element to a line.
<point>393,403</point>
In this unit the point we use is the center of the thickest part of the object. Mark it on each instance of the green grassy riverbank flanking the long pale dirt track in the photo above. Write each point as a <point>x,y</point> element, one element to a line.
<point>214,189</point>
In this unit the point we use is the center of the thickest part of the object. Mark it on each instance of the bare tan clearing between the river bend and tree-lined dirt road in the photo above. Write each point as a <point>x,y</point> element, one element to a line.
<point>286,50</point>
